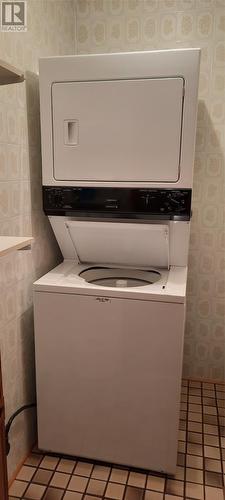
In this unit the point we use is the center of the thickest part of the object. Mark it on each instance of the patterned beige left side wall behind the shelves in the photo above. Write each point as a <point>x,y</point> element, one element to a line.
<point>50,32</point>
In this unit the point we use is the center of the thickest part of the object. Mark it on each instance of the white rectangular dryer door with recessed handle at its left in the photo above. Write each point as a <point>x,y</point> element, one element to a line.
<point>124,130</point>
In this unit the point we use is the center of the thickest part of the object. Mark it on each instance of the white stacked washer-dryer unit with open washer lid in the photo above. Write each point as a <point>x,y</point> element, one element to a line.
<point>118,138</point>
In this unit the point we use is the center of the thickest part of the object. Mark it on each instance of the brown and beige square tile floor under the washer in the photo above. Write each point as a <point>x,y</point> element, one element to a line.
<point>200,463</point>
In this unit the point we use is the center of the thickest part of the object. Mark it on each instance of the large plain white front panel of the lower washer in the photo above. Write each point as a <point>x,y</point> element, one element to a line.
<point>108,378</point>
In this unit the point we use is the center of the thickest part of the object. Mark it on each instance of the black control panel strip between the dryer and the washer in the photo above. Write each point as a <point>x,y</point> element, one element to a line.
<point>135,203</point>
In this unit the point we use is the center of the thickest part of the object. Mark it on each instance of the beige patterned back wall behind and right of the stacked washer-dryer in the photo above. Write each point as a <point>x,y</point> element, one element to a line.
<point>125,25</point>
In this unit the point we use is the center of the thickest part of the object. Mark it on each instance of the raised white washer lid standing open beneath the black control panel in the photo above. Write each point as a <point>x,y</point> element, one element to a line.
<point>120,243</point>
